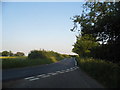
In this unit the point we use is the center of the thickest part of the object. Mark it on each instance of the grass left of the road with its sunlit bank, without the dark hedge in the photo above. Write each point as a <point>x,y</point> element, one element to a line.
<point>17,62</point>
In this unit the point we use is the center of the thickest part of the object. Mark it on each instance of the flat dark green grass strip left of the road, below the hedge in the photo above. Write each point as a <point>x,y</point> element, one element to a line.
<point>23,62</point>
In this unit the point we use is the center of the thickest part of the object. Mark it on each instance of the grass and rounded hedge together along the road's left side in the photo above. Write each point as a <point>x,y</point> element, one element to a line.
<point>35,57</point>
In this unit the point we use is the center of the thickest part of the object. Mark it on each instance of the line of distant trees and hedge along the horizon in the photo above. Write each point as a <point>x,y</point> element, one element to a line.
<point>35,54</point>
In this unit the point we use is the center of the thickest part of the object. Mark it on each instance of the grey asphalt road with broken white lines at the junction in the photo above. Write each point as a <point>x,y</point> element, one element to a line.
<point>63,74</point>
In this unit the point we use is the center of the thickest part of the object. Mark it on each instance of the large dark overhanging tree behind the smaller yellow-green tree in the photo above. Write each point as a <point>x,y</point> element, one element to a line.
<point>102,21</point>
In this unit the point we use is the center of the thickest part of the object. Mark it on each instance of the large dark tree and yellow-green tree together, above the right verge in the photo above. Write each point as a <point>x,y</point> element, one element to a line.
<point>99,36</point>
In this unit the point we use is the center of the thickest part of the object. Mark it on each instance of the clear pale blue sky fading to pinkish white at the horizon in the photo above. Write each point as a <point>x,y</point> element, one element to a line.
<point>30,26</point>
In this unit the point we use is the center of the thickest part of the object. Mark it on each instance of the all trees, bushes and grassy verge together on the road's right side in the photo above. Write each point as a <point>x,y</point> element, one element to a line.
<point>98,41</point>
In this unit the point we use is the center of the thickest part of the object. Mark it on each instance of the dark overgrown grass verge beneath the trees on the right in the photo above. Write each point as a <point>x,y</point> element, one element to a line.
<point>107,73</point>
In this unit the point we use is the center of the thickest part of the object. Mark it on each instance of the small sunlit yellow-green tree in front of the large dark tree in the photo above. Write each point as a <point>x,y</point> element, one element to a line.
<point>84,45</point>
